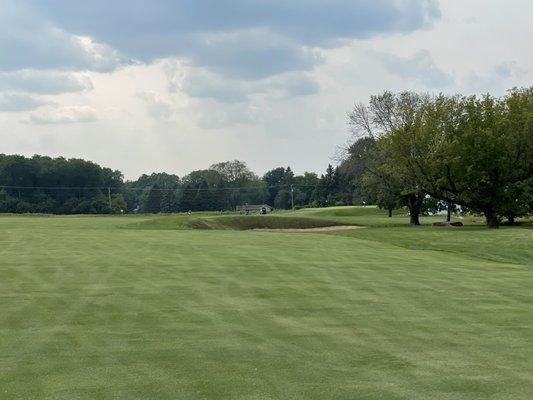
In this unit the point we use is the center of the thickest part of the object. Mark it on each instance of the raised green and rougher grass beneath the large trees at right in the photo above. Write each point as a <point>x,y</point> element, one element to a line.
<point>507,244</point>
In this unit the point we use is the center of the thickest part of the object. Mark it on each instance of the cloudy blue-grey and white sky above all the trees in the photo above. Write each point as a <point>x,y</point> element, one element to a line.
<point>176,85</point>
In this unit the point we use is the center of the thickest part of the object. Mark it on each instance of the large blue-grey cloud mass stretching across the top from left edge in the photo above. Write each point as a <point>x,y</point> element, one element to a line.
<point>239,38</point>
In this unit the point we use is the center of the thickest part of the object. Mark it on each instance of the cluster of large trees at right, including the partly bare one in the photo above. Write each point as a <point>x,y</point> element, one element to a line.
<point>442,151</point>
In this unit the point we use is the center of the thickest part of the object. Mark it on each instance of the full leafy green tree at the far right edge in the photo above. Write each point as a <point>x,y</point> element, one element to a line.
<point>475,152</point>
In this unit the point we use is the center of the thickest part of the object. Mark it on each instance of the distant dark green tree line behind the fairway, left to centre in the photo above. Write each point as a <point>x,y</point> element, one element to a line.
<point>56,185</point>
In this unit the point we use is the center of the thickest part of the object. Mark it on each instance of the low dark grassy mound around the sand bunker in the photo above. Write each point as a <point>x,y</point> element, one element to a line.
<point>247,222</point>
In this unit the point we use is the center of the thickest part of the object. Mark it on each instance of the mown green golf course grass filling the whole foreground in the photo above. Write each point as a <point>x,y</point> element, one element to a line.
<point>146,307</point>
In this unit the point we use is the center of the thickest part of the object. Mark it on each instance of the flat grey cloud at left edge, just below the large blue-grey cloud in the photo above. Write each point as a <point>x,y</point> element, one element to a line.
<point>44,82</point>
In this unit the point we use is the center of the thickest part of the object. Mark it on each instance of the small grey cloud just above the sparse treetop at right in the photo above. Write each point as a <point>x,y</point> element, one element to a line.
<point>420,67</point>
